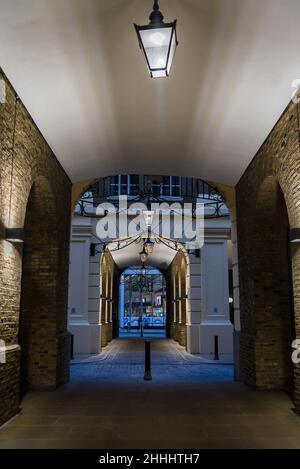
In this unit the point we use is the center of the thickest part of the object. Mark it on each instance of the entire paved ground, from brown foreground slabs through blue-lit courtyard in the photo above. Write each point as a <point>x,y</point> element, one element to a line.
<point>108,405</point>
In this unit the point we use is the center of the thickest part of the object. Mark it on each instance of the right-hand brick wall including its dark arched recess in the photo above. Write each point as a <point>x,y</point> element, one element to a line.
<point>268,204</point>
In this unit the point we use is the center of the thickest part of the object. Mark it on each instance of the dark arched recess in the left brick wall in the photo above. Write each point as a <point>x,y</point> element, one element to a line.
<point>43,338</point>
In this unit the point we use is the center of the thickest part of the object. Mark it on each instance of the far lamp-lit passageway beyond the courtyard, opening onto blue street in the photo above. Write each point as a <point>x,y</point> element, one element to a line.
<point>144,300</point>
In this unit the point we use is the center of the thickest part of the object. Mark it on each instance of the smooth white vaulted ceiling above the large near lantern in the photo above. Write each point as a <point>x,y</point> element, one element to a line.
<point>77,67</point>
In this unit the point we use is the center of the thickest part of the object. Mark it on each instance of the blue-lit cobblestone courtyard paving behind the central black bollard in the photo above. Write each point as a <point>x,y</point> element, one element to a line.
<point>124,360</point>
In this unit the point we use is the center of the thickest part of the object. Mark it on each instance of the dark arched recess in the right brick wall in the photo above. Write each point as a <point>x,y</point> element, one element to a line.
<point>268,319</point>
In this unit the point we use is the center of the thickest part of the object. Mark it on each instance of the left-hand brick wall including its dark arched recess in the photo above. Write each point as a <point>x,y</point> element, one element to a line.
<point>37,179</point>
